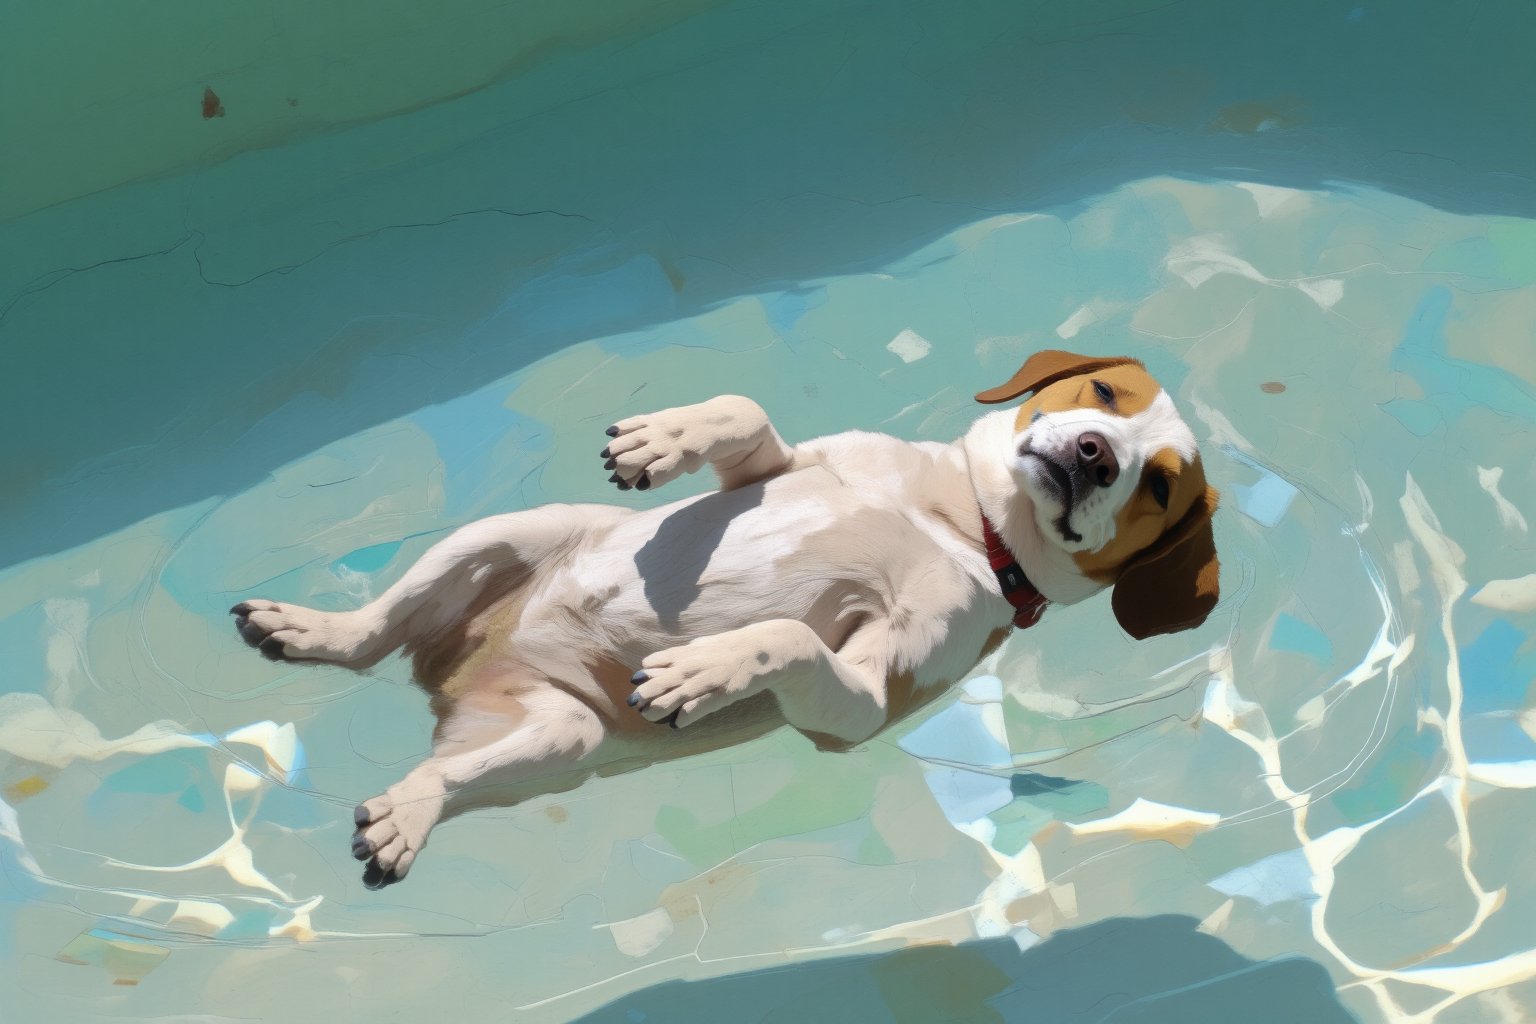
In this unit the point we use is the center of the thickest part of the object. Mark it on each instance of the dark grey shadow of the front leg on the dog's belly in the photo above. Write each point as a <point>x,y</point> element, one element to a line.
<point>674,561</point>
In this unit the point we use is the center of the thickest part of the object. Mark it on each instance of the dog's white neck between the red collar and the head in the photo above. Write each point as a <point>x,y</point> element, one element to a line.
<point>988,451</point>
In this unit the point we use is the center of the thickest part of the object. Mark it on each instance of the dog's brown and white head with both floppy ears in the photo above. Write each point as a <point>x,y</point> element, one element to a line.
<point>1116,480</point>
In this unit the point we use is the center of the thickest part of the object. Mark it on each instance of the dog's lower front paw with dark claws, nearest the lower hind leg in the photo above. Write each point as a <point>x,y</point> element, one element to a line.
<point>681,685</point>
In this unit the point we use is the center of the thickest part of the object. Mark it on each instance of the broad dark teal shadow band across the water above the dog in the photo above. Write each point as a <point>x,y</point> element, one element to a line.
<point>177,340</point>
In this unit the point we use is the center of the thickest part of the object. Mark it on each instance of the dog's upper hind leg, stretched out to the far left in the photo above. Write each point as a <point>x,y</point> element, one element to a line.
<point>439,592</point>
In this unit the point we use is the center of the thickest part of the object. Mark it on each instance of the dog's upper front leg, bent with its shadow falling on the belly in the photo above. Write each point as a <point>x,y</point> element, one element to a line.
<point>730,434</point>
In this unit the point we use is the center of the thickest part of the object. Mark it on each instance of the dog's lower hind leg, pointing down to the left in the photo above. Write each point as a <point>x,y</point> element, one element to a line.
<point>482,758</point>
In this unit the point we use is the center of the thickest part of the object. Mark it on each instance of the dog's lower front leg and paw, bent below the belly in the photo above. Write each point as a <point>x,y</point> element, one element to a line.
<point>821,692</point>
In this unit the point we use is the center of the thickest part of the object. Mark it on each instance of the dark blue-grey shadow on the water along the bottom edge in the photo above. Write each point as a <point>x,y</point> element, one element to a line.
<point>1131,971</point>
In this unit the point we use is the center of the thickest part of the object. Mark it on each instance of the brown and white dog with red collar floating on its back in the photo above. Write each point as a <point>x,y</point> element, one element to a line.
<point>833,587</point>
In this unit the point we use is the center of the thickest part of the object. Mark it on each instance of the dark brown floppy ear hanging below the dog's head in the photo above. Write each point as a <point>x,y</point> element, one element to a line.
<point>1173,586</point>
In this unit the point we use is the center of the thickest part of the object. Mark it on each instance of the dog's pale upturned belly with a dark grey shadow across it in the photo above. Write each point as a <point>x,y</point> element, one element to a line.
<point>803,546</point>
